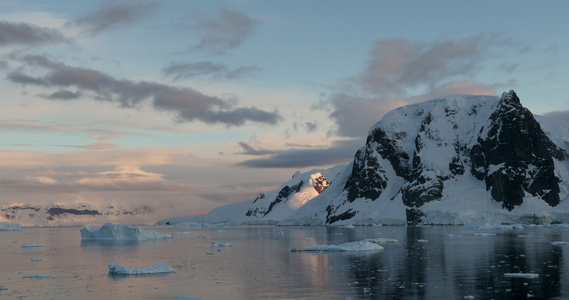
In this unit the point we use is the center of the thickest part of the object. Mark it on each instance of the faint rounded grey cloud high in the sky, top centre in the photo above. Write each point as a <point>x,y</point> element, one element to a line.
<point>225,32</point>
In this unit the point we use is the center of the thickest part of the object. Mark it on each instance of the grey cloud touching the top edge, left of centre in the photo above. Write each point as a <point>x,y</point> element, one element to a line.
<point>113,14</point>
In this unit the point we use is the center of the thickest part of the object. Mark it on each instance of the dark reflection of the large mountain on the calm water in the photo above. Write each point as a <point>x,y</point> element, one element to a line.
<point>429,264</point>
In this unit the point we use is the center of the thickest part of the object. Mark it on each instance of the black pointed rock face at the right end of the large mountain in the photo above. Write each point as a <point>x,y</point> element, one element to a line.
<point>516,157</point>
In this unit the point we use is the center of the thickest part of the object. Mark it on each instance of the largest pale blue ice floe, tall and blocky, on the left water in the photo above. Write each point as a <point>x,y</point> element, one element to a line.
<point>115,231</point>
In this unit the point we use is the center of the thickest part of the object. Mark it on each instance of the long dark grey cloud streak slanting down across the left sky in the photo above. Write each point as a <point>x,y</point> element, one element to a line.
<point>186,104</point>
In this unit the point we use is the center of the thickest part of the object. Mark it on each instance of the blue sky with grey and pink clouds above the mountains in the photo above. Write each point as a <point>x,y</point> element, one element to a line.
<point>184,105</point>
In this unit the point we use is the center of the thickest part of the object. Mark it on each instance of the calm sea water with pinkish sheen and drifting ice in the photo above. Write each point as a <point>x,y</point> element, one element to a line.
<point>257,263</point>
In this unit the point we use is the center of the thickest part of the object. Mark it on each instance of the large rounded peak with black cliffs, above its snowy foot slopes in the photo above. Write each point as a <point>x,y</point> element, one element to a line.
<point>420,149</point>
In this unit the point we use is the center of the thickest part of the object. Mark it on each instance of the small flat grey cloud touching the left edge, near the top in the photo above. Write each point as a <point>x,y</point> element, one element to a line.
<point>24,34</point>
